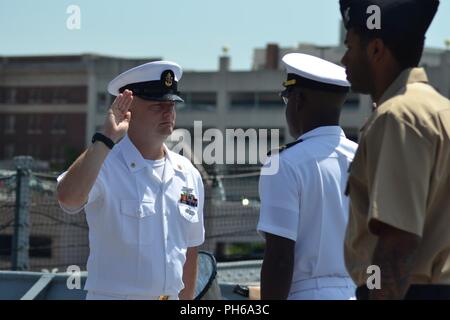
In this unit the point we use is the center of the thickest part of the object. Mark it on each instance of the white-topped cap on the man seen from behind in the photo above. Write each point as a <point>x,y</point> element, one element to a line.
<point>314,73</point>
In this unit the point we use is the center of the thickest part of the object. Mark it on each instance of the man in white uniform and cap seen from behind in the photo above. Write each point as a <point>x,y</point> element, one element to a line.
<point>304,211</point>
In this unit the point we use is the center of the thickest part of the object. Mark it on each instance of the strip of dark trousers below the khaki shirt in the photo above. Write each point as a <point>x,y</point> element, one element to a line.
<point>415,292</point>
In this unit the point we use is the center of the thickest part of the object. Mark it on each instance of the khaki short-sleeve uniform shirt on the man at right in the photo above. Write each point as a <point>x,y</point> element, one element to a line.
<point>401,176</point>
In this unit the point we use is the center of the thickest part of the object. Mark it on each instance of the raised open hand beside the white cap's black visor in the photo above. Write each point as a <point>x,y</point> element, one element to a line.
<point>118,118</point>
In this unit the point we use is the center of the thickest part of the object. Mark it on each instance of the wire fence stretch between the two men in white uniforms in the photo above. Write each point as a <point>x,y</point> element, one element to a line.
<point>231,215</point>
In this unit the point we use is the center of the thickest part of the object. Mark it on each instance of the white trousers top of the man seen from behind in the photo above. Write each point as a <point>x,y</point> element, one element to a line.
<point>323,288</point>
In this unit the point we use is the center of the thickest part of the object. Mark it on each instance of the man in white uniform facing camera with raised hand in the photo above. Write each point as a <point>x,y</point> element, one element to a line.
<point>143,203</point>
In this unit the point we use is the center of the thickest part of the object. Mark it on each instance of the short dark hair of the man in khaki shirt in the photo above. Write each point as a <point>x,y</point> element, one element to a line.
<point>407,50</point>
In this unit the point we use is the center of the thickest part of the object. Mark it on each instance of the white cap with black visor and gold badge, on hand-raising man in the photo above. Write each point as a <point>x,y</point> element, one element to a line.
<point>156,81</point>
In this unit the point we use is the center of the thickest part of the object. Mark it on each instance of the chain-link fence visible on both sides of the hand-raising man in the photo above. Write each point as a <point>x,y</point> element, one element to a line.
<point>57,240</point>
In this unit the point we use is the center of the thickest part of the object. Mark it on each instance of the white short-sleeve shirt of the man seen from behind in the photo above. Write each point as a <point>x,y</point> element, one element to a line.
<point>305,201</point>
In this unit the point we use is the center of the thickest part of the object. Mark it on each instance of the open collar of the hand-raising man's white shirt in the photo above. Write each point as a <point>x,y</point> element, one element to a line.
<point>136,162</point>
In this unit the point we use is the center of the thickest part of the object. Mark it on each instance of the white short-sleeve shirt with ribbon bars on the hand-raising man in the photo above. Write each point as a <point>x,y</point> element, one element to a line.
<point>139,230</point>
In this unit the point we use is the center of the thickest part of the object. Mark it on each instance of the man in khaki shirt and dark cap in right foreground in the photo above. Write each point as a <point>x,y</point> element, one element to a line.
<point>399,183</point>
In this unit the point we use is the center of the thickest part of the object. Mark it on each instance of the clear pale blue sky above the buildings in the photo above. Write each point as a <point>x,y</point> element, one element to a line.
<point>190,32</point>
